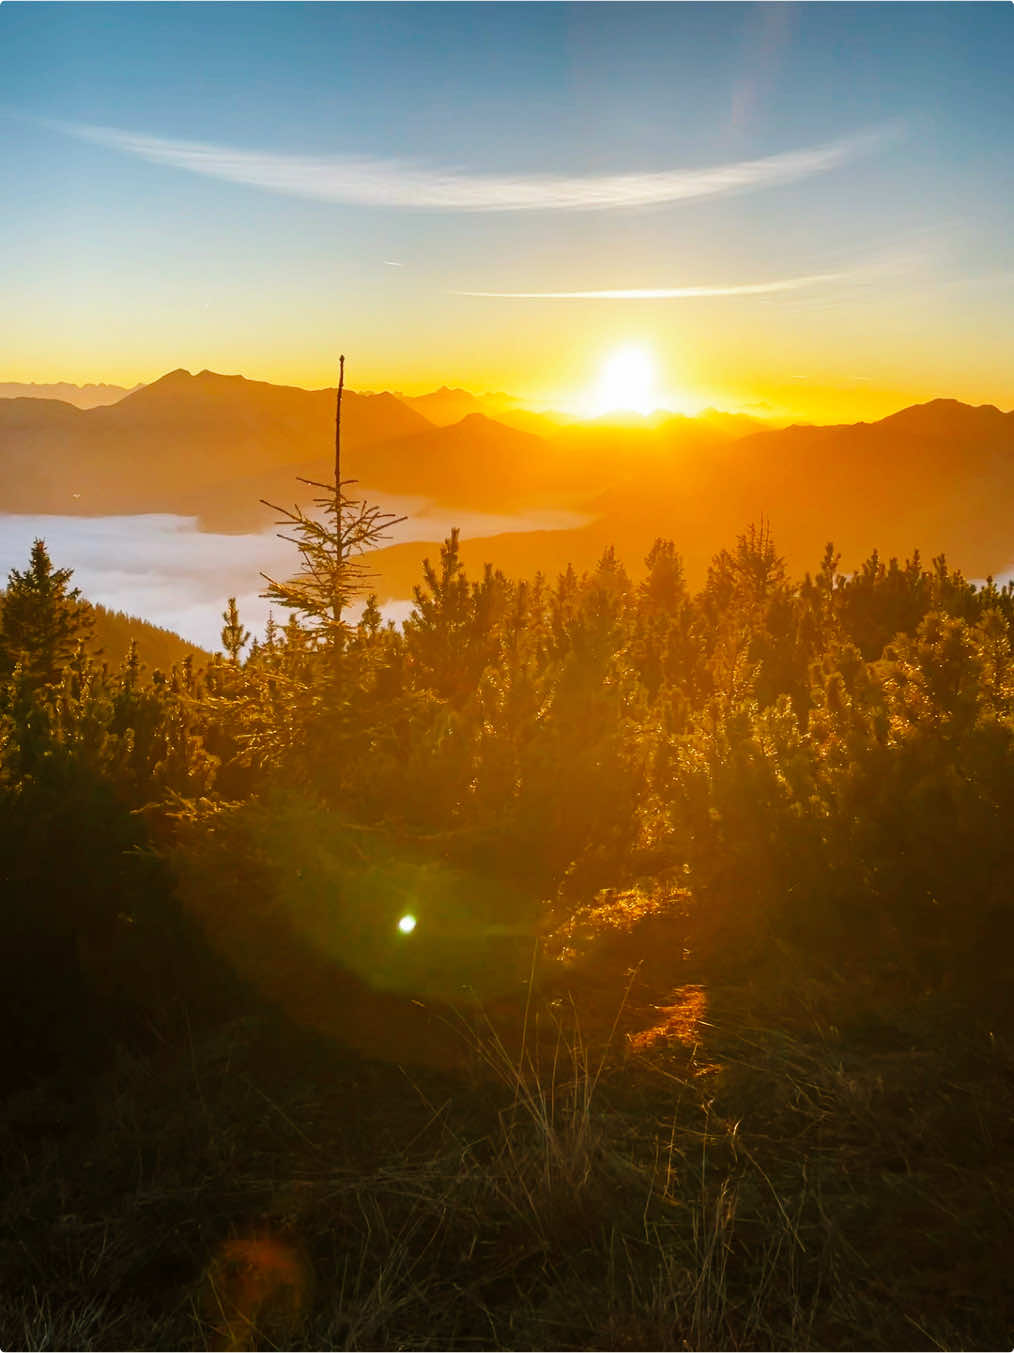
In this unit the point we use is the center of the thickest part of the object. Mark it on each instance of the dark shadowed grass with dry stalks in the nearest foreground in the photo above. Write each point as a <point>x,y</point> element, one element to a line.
<point>726,1185</point>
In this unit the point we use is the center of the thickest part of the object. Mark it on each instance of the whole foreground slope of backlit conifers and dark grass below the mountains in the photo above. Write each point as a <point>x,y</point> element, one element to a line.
<point>801,791</point>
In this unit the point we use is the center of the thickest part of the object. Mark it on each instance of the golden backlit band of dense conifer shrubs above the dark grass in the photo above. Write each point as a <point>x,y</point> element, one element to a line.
<point>829,761</point>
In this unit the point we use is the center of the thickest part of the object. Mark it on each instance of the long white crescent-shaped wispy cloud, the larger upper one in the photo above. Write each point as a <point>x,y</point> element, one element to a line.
<point>396,183</point>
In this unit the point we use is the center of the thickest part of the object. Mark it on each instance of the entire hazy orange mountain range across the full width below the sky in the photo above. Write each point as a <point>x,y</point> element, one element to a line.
<point>936,477</point>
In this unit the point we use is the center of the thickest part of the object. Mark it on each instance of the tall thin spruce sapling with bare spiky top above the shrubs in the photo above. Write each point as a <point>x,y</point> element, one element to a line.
<point>332,543</point>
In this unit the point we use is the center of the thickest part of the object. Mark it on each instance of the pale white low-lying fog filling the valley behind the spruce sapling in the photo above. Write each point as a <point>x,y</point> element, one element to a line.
<point>166,570</point>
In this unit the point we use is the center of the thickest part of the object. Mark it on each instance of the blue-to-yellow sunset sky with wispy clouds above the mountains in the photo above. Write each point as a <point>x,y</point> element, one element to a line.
<point>787,209</point>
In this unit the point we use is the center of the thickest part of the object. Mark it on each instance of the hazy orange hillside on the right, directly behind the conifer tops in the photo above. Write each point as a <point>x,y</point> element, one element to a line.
<point>935,477</point>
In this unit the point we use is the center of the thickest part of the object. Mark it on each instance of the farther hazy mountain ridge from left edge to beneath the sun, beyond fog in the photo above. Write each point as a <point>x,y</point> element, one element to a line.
<point>215,446</point>
